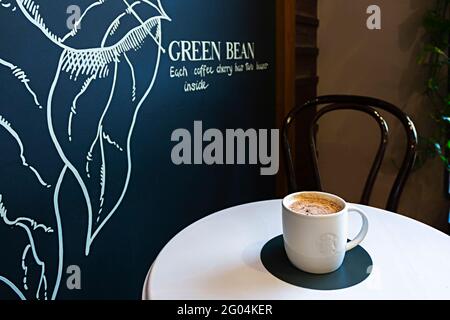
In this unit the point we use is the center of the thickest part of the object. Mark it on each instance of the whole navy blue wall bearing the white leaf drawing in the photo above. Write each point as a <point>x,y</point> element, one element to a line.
<point>37,244</point>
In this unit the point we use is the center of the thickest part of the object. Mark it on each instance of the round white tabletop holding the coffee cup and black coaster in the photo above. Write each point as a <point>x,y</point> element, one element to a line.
<point>218,257</point>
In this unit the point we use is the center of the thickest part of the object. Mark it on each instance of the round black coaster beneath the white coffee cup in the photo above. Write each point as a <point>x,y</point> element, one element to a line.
<point>356,268</point>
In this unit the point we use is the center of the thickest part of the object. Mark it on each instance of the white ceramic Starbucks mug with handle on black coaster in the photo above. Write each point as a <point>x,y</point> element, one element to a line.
<point>317,244</point>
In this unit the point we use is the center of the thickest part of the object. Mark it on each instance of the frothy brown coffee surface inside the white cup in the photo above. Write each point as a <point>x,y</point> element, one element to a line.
<point>312,205</point>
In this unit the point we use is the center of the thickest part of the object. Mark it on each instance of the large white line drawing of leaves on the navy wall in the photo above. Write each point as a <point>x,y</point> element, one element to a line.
<point>83,109</point>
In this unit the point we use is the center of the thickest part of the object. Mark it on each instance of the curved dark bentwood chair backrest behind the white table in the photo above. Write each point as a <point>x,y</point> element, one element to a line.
<point>370,106</point>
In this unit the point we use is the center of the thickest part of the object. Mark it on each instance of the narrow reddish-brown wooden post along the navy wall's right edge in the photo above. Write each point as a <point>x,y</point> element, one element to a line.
<point>285,72</point>
